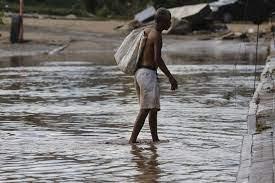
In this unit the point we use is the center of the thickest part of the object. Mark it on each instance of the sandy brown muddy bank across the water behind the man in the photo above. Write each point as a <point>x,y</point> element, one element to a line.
<point>59,39</point>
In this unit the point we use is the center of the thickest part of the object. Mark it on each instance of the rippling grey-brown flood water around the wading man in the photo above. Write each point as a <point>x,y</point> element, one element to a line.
<point>69,121</point>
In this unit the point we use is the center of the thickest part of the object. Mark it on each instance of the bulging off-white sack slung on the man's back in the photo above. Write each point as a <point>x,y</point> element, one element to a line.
<point>128,54</point>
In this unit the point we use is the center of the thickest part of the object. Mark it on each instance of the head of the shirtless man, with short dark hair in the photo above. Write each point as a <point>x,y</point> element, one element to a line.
<point>163,18</point>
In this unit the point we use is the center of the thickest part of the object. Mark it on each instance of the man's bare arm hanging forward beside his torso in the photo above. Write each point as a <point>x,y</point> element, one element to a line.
<point>159,61</point>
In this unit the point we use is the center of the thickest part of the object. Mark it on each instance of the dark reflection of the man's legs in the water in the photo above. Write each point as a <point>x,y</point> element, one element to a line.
<point>146,163</point>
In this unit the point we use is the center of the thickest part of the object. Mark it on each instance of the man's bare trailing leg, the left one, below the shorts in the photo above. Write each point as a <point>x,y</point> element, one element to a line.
<point>138,124</point>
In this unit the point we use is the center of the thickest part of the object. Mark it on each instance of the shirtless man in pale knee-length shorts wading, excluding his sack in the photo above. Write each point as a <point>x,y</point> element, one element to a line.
<point>146,79</point>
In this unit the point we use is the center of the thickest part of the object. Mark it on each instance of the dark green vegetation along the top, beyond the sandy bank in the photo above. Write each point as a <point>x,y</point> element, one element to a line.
<point>101,8</point>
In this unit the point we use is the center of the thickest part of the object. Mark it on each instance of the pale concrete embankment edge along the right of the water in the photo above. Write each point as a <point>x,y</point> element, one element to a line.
<point>258,155</point>
